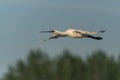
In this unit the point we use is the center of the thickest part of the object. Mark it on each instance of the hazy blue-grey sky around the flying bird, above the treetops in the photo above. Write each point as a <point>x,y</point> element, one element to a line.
<point>22,20</point>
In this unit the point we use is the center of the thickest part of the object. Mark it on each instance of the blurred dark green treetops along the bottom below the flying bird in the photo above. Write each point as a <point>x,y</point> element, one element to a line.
<point>38,66</point>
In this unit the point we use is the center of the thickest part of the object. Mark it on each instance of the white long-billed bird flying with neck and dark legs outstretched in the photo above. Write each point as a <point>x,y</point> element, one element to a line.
<point>73,34</point>
